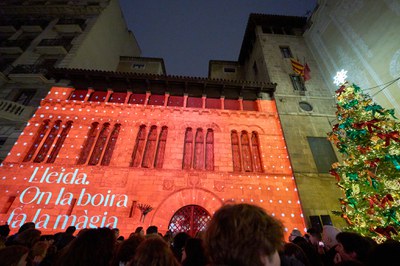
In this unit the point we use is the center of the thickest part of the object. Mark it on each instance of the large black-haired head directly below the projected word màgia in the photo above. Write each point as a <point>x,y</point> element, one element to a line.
<point>90,247</point>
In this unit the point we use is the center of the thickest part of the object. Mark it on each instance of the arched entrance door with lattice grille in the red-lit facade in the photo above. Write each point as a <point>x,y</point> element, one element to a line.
<point>190,219</point>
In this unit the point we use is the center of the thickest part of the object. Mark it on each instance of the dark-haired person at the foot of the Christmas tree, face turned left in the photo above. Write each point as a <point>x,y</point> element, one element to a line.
<point>352,247</point>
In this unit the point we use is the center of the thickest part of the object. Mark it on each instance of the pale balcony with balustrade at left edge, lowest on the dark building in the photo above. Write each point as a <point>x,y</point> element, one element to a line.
<point>15,111</point>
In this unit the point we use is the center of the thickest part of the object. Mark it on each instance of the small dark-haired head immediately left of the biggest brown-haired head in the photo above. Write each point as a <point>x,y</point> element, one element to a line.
<point>193,253</point>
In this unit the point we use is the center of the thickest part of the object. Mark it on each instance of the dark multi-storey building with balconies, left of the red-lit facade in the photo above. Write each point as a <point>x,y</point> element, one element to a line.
<point>36,36</point>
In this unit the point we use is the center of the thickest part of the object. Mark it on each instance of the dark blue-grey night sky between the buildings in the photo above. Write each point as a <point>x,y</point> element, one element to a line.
<point>189,33</point>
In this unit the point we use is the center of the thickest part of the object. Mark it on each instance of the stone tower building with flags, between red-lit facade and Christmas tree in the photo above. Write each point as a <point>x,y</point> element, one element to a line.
<point>306,108</point>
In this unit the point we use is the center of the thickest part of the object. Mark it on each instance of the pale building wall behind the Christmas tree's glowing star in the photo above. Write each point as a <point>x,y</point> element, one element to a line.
<point>362,38</point>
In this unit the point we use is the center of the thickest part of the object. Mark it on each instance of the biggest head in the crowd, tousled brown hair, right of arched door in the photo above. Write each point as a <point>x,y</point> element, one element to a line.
<point>243,234</point>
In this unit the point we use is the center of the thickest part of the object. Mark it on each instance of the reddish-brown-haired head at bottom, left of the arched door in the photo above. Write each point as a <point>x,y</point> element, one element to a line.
<point>154,251</point>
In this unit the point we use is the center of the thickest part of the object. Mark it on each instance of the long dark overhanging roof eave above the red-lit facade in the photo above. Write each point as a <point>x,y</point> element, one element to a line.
<point>162,83</point>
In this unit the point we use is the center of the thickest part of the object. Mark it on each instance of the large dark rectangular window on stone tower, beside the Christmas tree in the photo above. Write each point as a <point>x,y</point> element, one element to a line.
<point>323,153</point>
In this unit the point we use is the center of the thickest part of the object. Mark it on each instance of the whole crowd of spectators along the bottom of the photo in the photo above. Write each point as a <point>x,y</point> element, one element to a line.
<point>237,235</point>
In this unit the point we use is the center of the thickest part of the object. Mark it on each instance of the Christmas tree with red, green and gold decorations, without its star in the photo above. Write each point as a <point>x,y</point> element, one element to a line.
<point>367,136</point>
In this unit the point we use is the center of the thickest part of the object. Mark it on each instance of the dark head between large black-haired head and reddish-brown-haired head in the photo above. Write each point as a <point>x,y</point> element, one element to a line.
<point>127,250</point>
